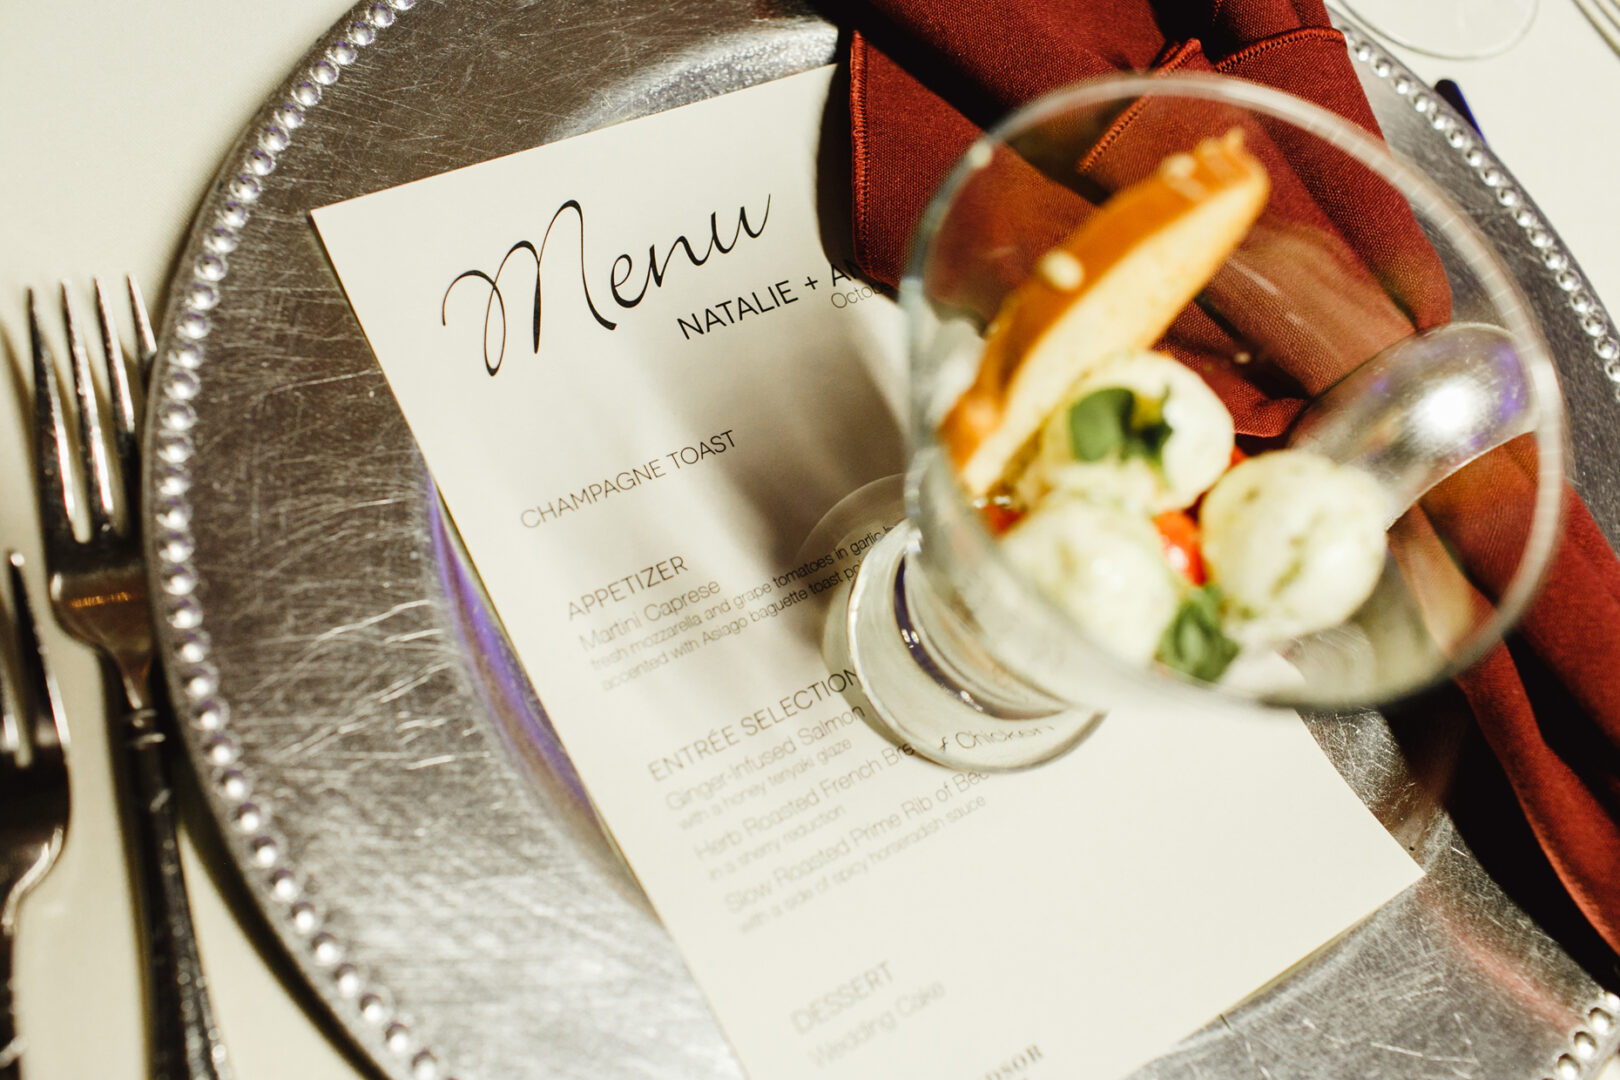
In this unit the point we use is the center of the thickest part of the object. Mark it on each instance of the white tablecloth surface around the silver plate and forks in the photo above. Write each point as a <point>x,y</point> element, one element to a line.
<point>114,122</point>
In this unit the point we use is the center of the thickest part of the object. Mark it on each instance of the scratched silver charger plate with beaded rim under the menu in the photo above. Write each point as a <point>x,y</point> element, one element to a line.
<point>382,773</point>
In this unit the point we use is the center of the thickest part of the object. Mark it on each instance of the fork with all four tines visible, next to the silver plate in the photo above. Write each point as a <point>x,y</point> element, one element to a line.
<point>98,593</point>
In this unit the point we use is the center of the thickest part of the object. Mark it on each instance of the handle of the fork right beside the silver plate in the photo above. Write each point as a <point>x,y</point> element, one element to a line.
<point>184,1039</point>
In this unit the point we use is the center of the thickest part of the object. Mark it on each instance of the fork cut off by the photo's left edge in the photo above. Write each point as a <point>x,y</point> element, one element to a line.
<point>33,783</point>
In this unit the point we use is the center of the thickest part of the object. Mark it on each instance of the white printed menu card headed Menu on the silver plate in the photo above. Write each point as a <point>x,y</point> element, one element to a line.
<point>634,440</point>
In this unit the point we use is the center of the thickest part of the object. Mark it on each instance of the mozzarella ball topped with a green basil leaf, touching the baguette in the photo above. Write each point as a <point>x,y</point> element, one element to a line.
<point>1192,457</point>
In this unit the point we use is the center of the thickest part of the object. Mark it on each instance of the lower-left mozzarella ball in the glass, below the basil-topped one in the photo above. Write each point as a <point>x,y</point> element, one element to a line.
<point>1106,568</point>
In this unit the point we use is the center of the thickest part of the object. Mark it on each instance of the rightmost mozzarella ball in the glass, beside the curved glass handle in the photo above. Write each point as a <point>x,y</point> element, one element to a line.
<point>1295,543</point>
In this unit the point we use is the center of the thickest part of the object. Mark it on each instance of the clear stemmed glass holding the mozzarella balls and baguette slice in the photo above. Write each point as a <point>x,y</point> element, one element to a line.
<point>971,663</point>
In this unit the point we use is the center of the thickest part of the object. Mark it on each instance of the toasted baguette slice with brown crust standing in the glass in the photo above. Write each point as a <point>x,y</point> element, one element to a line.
<point>1115,284</point>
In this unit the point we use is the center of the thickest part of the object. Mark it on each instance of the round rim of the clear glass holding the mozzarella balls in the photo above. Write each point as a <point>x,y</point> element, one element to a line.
<point>1426,198</point>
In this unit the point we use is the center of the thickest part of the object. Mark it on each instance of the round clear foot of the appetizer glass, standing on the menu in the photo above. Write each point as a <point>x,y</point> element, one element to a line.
<point>929,684</point>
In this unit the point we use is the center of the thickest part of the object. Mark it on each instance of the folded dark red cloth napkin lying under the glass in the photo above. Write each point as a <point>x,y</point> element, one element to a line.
<point>929,75</point>
